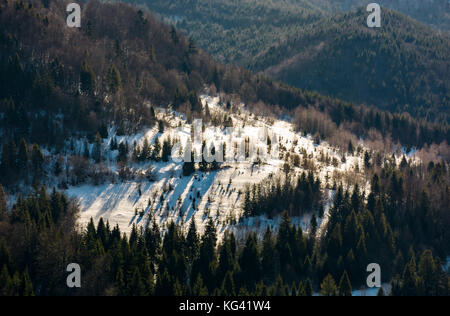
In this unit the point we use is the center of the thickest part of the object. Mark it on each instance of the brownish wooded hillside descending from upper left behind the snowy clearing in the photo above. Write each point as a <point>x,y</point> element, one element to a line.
<point>114,72</point>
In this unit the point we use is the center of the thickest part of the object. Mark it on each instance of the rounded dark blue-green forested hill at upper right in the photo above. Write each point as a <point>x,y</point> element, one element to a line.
<point>401,67</point>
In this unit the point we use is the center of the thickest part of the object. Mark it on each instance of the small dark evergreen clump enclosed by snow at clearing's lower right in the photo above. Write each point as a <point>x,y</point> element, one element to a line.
<point>272,197</point>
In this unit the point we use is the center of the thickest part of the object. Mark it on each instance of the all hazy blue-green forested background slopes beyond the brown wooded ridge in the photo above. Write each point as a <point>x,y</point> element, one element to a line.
<point>402,67</point>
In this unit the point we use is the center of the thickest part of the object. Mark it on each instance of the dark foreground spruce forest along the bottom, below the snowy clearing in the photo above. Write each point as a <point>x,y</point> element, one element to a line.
<point>38,239</point>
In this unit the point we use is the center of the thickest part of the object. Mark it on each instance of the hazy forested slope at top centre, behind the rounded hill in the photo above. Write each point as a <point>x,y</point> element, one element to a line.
<point>235,31</point>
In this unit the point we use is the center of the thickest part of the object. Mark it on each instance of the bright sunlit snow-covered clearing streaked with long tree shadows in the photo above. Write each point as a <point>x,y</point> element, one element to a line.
<point>217,194</point>
